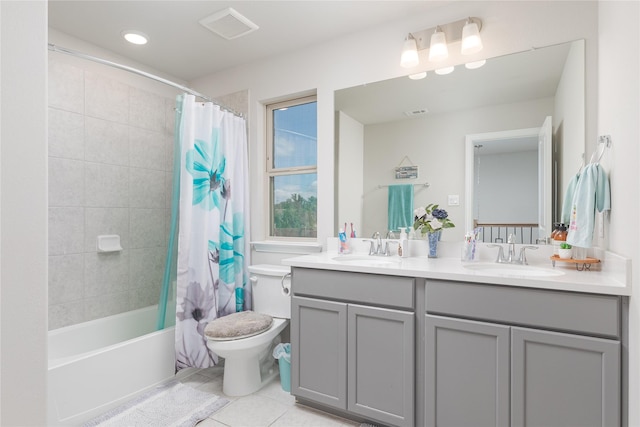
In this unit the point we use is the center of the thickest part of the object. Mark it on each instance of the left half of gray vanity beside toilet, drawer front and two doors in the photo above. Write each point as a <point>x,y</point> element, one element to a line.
<point>352,343</point>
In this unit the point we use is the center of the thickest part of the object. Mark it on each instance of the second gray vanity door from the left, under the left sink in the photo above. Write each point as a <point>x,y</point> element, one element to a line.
<point>381,364</point>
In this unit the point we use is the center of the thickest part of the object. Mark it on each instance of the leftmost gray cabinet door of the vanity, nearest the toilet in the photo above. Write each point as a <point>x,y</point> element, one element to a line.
<point>319,351</point>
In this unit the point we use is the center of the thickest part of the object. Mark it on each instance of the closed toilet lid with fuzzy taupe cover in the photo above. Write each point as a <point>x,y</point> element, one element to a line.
<point>238,325</point>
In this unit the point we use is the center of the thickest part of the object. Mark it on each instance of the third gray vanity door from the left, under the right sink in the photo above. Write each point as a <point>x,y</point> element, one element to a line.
<point>466,373</point>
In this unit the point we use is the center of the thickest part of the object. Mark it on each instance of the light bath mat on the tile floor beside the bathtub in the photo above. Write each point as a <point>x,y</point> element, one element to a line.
<point>173,404</point>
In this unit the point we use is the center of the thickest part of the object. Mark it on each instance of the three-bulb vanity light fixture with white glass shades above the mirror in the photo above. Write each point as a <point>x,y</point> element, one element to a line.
<point>467,31</point>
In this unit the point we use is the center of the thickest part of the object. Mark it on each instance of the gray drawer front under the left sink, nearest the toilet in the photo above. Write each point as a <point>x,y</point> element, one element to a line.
<point>368,289</point>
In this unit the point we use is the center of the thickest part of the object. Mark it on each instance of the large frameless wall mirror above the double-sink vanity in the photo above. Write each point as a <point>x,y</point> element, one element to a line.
<point>433,125</point>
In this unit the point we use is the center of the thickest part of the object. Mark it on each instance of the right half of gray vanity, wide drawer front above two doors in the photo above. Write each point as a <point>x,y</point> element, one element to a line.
<point>500,356</point>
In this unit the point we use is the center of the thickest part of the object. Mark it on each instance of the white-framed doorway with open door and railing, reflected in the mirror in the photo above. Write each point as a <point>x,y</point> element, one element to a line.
<point>517,162</point>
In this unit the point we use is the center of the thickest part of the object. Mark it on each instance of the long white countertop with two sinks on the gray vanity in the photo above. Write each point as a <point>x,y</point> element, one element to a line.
<point>611,277</point>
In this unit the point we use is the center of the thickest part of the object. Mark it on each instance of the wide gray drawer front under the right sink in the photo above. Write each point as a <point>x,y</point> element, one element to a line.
<point>564,311</point>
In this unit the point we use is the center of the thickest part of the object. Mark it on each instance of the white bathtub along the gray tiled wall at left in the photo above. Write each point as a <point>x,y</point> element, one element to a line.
<point>96,365</point>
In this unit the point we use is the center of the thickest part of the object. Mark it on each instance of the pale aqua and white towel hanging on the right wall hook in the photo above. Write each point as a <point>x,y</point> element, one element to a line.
<point>592,192</point>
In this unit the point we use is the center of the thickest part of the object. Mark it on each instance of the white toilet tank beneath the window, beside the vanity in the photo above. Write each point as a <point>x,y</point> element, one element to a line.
<point>271,286</point>
